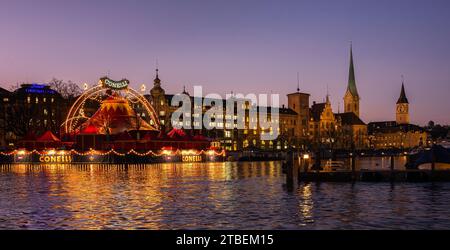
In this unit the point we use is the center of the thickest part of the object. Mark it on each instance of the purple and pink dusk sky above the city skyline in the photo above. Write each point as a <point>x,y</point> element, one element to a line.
<point>241,46</point>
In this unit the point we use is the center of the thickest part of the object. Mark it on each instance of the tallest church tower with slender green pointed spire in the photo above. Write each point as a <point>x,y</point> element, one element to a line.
<point>351,98</point>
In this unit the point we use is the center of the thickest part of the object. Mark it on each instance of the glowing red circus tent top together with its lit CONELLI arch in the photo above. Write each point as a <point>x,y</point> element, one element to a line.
<point>119,108</point>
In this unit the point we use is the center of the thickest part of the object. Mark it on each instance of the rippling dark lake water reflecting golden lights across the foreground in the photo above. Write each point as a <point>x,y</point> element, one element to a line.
<point>209,196</point>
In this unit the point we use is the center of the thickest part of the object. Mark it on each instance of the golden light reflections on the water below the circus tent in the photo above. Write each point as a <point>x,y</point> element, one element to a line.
<point>138,196</point>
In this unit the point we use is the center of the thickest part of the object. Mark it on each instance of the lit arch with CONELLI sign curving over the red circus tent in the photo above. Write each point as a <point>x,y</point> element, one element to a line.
<point>107,89</point>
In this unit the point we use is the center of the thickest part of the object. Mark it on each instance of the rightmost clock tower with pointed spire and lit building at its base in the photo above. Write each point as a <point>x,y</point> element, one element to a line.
<point>398,134</point>
